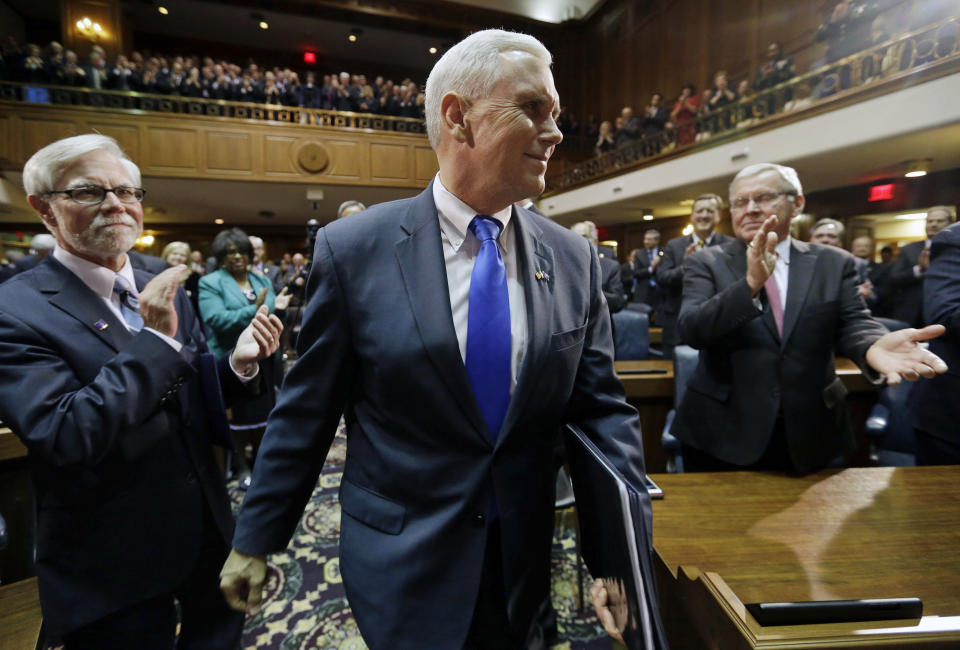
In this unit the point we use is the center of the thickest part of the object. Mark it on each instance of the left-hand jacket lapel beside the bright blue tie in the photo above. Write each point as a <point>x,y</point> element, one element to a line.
<point>420,256</point>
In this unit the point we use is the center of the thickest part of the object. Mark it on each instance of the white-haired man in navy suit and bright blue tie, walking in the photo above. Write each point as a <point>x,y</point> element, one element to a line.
<point>447,506</point>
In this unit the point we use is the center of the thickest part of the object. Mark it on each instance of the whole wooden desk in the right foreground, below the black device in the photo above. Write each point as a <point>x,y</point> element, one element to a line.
<point>723,540</point>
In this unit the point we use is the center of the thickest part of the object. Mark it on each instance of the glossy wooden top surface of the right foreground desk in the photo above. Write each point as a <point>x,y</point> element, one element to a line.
<point>857,533</point>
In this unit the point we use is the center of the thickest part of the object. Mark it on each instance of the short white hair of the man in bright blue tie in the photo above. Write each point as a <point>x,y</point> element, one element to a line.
<point>471,68</point>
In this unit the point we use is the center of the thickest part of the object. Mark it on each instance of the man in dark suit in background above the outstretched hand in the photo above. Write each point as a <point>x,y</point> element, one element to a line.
<point>910,267</point>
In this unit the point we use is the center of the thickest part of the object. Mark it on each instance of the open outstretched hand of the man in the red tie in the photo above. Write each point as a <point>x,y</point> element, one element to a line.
<point>899,355</point>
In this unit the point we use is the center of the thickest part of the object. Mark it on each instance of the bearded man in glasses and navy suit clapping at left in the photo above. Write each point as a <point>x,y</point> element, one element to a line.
<point>99,378</point>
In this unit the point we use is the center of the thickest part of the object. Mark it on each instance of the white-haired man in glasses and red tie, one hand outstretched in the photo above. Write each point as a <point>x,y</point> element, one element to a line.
<point>767,313</point>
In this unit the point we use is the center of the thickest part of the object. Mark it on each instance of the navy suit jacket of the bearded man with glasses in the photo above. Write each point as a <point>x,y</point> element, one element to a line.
<point>118,440</point>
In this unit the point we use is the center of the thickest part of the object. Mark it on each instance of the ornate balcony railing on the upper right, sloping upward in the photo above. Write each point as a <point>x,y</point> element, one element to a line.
<point>885,66</point>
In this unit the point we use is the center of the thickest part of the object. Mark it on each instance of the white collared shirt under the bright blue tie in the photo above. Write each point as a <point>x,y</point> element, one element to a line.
<point>460,249</point>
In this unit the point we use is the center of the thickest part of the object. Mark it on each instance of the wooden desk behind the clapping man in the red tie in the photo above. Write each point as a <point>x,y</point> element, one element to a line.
<point>652,395</point>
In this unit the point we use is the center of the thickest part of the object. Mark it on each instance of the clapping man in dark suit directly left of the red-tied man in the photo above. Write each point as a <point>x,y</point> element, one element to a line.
<point>705,216</point>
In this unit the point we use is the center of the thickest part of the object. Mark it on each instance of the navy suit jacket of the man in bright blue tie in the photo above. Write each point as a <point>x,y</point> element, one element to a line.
<point>378,345</point>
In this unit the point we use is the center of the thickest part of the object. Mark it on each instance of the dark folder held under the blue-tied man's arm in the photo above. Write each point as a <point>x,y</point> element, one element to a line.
<point>616,540</point>
